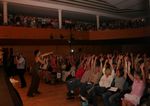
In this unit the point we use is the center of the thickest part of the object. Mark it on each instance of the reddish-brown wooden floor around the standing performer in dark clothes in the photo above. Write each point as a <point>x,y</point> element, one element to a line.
<point>51,95</point>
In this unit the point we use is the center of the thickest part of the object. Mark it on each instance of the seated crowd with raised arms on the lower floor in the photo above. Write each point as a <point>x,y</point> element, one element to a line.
<point>119,79</point>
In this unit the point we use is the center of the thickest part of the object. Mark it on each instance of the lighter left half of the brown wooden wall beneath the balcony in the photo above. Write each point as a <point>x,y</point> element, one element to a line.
<point>29,50</point>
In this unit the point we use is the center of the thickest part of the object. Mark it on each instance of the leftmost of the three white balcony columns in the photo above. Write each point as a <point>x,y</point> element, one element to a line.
<point>5,12</point>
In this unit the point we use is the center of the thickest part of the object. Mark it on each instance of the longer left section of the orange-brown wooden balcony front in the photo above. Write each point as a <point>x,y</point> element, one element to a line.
<point>9,32</point>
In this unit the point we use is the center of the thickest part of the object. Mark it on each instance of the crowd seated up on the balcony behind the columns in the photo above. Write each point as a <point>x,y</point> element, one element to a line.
<point>47,22</point>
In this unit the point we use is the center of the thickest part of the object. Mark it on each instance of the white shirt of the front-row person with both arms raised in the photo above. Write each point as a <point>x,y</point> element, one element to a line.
<point>106,81</point>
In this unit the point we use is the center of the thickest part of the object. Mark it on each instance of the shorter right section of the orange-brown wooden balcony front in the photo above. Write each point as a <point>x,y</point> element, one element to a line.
<point>119,33</point>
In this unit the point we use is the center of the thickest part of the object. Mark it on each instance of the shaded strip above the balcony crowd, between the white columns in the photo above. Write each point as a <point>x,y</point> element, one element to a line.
<point>48,12</point>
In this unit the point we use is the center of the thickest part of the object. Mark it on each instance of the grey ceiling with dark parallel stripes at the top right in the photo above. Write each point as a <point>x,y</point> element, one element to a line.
<point>123,7</point>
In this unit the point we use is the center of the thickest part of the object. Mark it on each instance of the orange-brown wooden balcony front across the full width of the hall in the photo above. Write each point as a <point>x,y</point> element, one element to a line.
<point>9,32</point>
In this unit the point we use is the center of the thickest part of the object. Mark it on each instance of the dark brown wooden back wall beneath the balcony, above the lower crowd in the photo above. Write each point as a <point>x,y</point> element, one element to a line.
<point>85,49</point>
